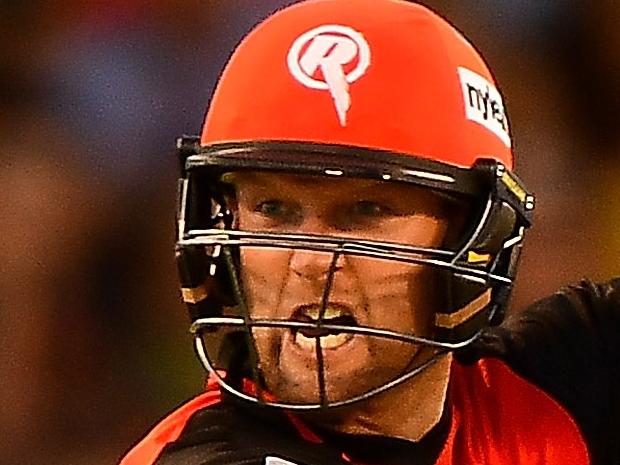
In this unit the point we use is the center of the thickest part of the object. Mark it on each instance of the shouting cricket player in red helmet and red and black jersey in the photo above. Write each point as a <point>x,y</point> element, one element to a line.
<point>349,229</point>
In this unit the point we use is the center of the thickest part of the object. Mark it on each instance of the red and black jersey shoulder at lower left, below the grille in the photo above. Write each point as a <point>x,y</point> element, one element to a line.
<point>216,428</point>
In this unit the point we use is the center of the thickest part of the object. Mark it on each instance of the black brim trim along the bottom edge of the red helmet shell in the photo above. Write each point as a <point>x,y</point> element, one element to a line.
<point>341,160</point>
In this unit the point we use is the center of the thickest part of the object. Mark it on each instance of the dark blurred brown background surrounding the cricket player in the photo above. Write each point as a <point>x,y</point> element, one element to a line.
<point>94,344</point>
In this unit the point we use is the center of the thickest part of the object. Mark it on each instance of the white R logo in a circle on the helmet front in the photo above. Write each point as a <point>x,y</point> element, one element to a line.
<point>340,53</point>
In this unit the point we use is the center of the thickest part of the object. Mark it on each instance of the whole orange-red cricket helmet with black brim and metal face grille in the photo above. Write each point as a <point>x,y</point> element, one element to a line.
<point>379,89</point>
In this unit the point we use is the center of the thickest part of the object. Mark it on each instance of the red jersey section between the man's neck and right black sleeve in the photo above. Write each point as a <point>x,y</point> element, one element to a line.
<point>496,409</point>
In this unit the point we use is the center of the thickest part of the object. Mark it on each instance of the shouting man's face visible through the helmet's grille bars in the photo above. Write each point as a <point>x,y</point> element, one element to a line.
<point>287,284</point>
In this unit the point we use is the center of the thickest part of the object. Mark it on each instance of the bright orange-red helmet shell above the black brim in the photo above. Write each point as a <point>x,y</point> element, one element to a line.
<point>414,85</point>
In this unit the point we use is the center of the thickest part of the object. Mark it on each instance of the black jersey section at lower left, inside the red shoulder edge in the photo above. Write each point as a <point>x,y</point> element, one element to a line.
<point>231,434</point>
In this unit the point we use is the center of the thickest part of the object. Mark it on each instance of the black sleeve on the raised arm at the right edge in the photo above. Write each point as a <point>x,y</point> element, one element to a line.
<point>569,345</point>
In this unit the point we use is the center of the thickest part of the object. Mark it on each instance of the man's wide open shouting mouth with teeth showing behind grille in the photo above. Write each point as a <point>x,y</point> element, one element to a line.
<point>329,339</point>
